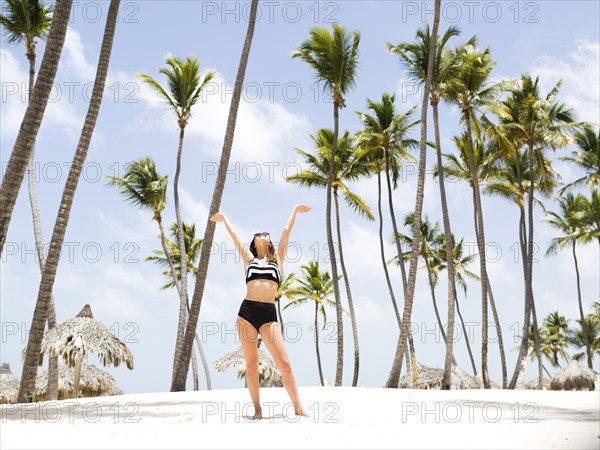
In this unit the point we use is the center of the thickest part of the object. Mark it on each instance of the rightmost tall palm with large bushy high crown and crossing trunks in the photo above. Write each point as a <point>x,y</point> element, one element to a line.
<point>534,122</point>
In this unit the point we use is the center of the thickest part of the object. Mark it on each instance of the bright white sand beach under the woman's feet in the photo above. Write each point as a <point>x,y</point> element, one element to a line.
<point>343,417</point>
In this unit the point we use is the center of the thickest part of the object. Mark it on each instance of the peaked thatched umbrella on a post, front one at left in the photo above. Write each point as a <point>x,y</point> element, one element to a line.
<point>74,339</point>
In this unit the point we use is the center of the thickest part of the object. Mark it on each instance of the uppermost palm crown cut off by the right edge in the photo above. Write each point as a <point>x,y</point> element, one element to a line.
<point>587,158</point>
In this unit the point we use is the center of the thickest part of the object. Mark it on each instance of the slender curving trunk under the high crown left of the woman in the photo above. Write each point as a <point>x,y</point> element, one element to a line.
<point>182,256</point>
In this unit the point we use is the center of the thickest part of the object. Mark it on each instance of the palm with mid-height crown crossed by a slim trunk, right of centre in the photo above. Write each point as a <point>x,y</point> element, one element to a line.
<point>458,165</point>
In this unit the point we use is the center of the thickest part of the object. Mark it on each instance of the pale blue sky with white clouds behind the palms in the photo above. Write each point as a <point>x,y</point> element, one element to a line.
<point>107,240</point>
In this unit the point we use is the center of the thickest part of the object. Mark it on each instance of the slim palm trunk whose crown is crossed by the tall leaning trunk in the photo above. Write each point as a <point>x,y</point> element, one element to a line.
<point>447,380</point>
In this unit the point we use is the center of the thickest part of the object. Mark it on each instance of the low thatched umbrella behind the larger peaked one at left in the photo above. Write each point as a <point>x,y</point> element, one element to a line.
<point>93,383</point>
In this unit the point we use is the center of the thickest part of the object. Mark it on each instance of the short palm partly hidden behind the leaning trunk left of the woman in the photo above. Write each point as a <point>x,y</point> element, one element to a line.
<point>192,246</point>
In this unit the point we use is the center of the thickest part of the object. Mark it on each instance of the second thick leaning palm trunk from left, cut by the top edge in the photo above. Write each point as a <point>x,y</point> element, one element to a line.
<point>62,219</point>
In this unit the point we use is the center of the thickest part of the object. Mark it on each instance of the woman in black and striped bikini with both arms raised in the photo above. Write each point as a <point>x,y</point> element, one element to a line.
<point>263,265</point>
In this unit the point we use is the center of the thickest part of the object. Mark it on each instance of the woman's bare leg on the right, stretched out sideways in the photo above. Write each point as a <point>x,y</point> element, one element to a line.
<point>271,334</point>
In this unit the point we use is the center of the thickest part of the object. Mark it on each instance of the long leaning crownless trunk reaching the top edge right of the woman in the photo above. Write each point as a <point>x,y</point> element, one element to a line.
<point>392,380</point>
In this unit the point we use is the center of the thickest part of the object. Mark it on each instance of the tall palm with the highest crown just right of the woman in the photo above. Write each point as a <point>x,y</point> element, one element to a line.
<point>334,58</point>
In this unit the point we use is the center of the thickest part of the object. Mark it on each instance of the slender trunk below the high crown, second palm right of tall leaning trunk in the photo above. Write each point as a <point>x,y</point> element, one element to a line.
<point>480,235</point>
